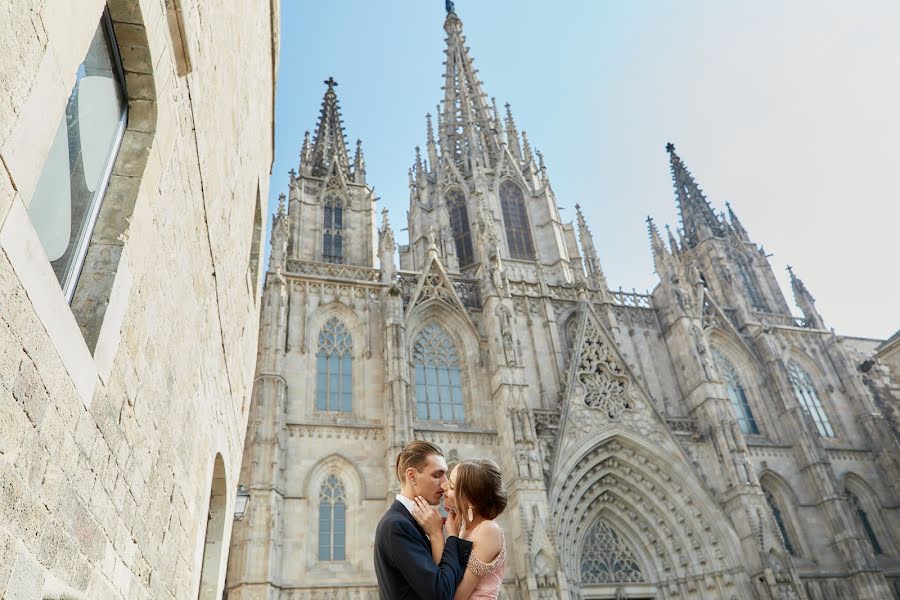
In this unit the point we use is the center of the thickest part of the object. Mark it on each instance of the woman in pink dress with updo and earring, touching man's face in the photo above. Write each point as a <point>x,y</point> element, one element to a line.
<point>474,497</point>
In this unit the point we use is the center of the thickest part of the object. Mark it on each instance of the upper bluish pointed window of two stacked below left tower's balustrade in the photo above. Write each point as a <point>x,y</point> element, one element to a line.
<point>334,368</point>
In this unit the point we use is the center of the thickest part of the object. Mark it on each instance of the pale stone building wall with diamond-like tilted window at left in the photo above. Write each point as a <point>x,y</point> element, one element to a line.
<point>136,145</point>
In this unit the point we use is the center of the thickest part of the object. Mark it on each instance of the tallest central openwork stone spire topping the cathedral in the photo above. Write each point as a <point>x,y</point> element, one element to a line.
<point>466,131</point>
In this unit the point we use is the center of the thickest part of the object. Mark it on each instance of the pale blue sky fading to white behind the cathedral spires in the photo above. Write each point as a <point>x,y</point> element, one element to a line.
<point>790,111</point>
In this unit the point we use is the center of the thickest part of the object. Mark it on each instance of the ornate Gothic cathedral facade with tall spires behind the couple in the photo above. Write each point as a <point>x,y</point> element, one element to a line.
<point>696,442</point>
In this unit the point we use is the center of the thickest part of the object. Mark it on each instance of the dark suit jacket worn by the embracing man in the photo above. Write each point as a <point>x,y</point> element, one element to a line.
<point>403,560</point>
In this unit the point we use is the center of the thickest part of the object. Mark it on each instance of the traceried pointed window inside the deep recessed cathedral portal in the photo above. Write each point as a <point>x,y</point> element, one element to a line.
<point>605,558</point>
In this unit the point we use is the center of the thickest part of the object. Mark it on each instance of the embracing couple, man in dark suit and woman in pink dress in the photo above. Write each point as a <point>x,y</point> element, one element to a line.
<point>419,555</point>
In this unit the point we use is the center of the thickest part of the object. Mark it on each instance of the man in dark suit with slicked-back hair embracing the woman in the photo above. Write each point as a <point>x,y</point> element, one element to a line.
<point>403,560</point>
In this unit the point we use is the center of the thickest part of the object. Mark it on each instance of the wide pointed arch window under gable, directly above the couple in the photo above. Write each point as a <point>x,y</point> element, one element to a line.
<point>437,375</point>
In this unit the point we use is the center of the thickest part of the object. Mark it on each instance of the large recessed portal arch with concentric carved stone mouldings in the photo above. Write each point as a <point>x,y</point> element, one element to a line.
<point>658,503</point>
